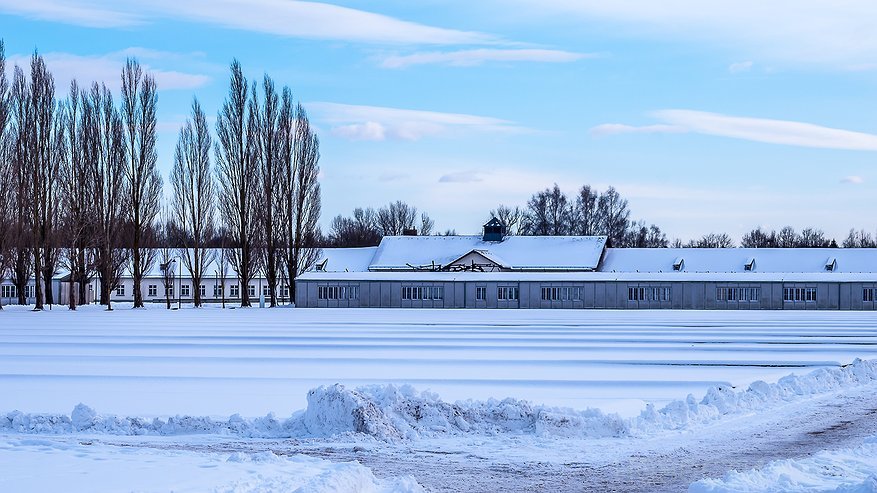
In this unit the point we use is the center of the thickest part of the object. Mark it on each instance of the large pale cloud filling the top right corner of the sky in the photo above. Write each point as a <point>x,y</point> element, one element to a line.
<point>803,31</point>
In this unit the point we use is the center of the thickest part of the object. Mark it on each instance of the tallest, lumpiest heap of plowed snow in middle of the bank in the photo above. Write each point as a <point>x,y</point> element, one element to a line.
<point>388,412</point>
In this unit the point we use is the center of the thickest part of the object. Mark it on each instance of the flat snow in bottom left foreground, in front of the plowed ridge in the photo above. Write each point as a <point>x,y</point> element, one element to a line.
<point>87,466</point>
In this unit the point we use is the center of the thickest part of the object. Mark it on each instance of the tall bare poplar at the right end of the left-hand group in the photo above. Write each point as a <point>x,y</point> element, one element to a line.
<point>139,100</point>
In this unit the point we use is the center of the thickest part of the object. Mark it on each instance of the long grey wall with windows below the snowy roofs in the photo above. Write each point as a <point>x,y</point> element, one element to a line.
<point>600,294</point>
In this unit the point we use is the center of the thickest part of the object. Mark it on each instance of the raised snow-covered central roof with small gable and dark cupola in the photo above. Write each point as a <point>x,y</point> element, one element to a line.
<point>516,252</point>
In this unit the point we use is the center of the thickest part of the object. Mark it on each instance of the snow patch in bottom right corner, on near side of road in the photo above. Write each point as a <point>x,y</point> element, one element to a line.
<point>840,471</point>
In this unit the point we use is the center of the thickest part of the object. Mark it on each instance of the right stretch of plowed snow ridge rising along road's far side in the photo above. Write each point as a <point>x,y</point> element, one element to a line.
<point>721,401</point>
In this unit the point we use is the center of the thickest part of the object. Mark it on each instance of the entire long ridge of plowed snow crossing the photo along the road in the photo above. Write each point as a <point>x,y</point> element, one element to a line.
<point>391,413</point>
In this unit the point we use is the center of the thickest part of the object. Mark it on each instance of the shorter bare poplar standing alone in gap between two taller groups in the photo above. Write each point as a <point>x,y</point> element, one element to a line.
<point>194,196</point>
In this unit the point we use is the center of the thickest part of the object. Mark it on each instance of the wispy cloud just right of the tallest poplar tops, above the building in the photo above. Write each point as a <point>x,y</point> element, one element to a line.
<point>356,122</point>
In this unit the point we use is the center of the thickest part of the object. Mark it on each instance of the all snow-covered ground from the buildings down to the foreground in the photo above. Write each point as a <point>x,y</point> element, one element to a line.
<point>225,391</point>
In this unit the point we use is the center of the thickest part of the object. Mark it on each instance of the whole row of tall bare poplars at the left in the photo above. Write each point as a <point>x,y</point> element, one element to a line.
<point>81,188</point>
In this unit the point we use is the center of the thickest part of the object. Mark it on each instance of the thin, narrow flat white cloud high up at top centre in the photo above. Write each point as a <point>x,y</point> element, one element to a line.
<point>466,58</point>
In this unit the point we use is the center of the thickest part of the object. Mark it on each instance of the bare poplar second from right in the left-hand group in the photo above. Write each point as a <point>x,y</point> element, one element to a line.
<point>105,150</point>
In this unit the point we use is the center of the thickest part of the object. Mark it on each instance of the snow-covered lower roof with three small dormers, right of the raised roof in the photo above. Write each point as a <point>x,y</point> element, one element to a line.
<point>734,260</point>
